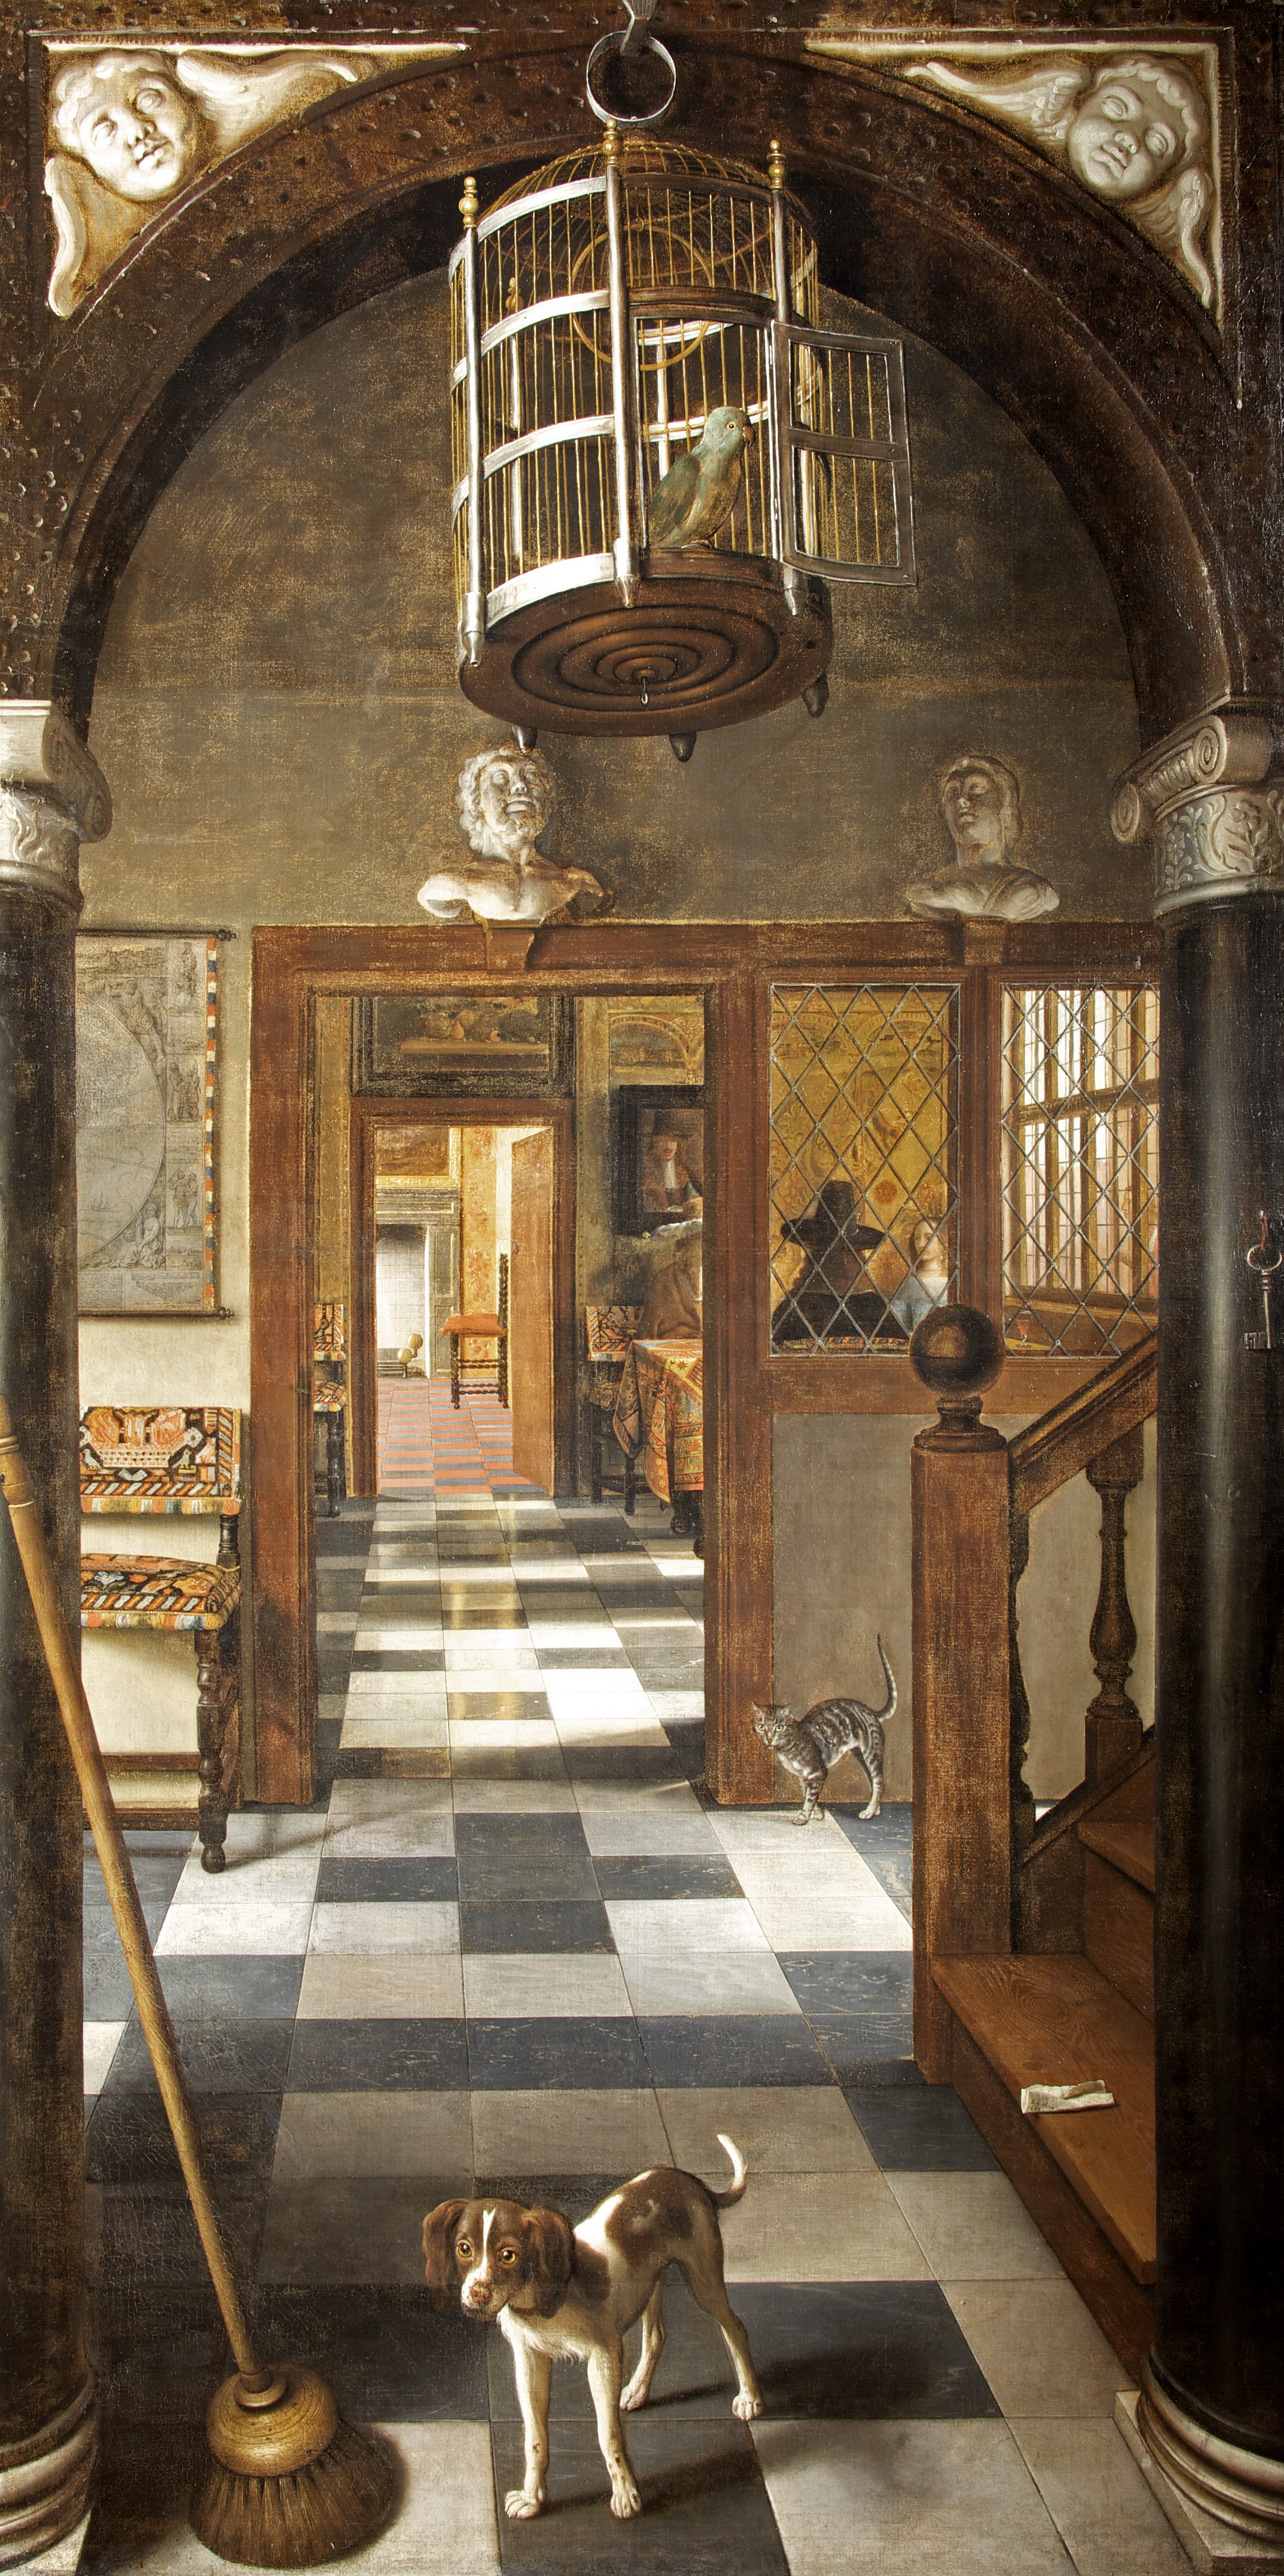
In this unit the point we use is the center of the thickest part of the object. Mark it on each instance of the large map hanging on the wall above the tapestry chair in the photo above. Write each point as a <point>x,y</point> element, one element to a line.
<point>146,1070</point>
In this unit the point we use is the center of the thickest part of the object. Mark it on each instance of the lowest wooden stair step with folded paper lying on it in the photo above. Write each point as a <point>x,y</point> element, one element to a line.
<point>1058,2021</point>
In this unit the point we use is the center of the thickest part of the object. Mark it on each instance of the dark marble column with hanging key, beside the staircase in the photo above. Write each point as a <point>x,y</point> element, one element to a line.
<point>1213,2392</point>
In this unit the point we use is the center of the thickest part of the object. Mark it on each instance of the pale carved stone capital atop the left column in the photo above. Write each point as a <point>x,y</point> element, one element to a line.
<point>53,797</point>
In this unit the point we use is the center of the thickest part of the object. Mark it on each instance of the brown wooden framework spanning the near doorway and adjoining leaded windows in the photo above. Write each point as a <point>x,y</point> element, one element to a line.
<point>744,1382</point>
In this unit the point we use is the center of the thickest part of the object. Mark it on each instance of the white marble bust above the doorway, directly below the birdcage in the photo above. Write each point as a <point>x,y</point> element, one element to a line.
<point>507,802</point>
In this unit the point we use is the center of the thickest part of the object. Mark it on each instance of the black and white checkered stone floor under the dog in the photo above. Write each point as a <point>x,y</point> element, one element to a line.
<point>514,1946</point>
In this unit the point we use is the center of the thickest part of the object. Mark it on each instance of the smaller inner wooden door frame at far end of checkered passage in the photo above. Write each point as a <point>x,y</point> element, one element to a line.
<point>370,1114</point>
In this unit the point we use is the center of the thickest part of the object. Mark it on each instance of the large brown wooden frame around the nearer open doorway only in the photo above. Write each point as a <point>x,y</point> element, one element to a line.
<point>293,970</point>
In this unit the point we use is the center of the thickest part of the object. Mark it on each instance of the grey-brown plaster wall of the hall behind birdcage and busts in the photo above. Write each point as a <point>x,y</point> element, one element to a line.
<point>282,730</point>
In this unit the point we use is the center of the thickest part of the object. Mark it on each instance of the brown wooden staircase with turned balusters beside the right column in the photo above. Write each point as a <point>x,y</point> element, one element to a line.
<point>1040,1933</point>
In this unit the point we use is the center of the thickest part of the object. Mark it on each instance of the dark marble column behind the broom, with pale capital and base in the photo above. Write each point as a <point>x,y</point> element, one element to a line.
<point>50,800</point>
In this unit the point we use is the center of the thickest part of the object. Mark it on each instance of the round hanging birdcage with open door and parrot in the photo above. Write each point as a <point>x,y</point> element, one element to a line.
<point>659,457</point>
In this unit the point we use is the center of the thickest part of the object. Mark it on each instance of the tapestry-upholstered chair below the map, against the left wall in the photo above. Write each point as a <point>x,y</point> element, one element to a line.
<point>174,1459</point>
